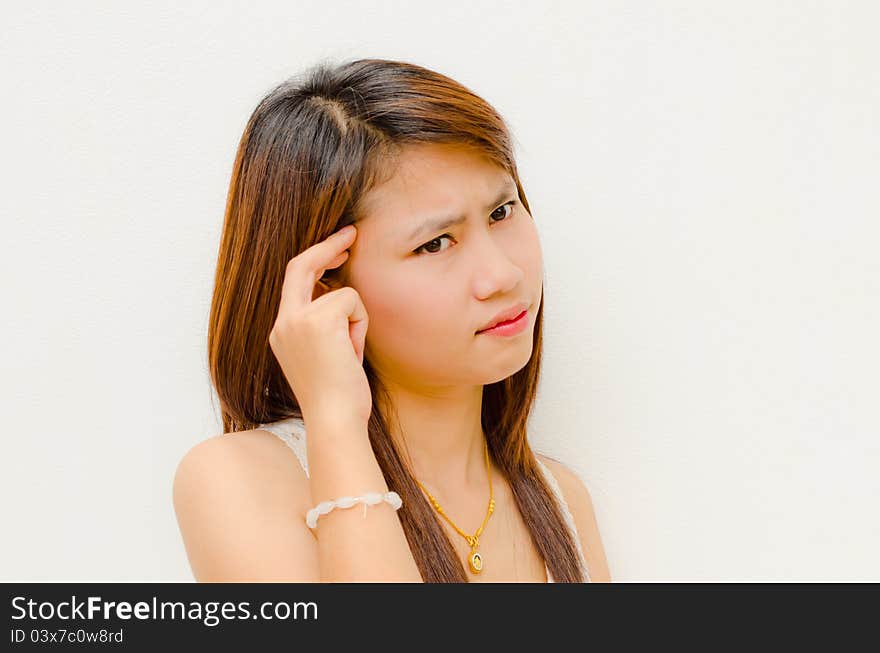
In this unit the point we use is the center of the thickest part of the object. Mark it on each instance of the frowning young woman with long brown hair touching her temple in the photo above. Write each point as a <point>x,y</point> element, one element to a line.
<point>359,361</point>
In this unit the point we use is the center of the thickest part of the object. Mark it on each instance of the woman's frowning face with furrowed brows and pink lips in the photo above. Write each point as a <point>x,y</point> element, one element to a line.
<point>429,289</point>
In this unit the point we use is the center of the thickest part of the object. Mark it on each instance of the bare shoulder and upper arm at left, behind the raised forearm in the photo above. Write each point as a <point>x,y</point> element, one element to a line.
<point>239,500</point>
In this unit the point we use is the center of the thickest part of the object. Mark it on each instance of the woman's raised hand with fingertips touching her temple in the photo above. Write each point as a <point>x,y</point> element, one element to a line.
<point>318,336</point>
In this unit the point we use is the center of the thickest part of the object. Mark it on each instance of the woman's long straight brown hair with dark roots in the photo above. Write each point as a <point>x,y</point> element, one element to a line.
<point>311,150</point>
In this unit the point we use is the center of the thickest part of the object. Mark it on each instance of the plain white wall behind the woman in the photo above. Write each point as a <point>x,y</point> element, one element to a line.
<point>705,179</point>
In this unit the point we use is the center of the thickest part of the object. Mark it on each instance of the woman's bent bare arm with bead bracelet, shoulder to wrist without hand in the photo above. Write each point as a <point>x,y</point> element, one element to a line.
<point>241,502</point>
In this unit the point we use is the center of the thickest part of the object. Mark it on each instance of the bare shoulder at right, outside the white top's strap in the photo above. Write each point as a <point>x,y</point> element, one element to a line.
<point>580,504</point>
